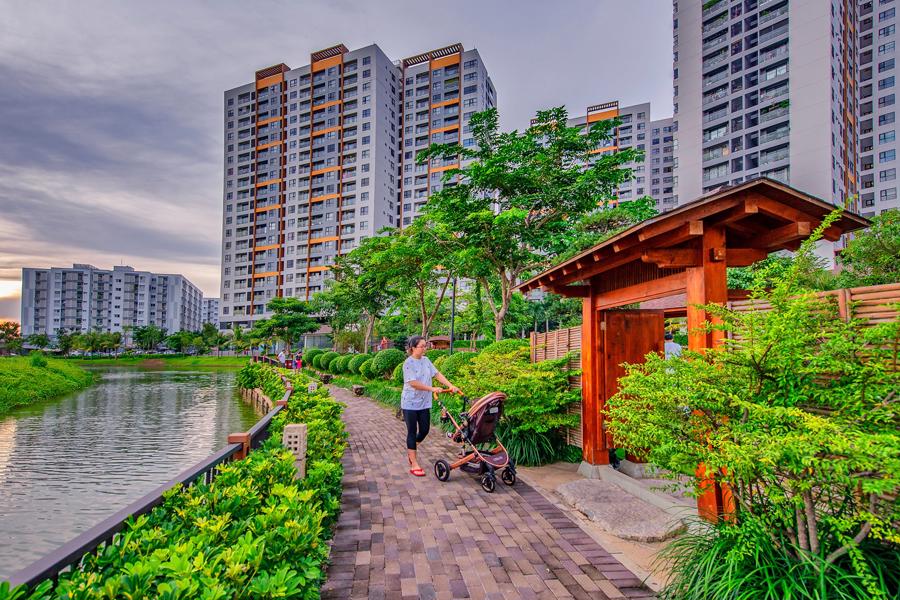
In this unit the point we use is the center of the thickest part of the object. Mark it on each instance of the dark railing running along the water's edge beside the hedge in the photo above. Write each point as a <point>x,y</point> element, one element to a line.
<point>72,552</point>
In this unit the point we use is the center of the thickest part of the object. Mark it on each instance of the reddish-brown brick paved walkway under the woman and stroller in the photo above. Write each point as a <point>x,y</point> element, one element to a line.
<point>401,536</point>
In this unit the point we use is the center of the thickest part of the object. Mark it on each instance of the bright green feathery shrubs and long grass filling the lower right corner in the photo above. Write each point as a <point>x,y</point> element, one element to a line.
<point>797,418</point>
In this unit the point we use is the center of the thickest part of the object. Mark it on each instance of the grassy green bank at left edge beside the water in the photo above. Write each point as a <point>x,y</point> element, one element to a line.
<point>23,383</point>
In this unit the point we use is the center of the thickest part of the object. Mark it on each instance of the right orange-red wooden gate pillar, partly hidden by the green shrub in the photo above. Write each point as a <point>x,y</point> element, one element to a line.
<point>707,284</point>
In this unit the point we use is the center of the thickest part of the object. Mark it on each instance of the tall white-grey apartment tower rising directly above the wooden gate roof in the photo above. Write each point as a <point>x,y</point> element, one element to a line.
<point>766,88</point>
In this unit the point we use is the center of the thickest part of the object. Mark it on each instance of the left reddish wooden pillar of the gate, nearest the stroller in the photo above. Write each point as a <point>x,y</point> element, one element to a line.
<point>593,444</point>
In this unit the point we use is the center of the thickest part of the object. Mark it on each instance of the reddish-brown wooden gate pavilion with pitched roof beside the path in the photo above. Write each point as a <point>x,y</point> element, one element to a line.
<point>677,259</point>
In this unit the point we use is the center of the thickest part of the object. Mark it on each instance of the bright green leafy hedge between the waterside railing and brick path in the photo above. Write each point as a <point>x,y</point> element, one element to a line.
<point>255,532</point>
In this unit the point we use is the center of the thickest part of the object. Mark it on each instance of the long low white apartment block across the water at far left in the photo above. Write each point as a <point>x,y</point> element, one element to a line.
<point>84,298</point>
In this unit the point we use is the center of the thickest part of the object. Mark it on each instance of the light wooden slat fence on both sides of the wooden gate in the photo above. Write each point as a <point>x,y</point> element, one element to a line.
<point>871,304</point>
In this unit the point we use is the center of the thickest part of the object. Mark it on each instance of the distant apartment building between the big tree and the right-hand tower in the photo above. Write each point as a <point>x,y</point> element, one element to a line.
<point>653,176</point>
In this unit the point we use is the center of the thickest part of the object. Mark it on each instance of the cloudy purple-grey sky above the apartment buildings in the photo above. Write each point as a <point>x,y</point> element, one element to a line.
<point>111,126</point>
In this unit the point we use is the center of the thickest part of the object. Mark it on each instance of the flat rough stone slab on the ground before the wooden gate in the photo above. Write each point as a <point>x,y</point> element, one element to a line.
<point>619,512</point>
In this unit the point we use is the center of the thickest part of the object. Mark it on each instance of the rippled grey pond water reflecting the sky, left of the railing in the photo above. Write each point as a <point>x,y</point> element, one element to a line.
<point>67,464</point>
